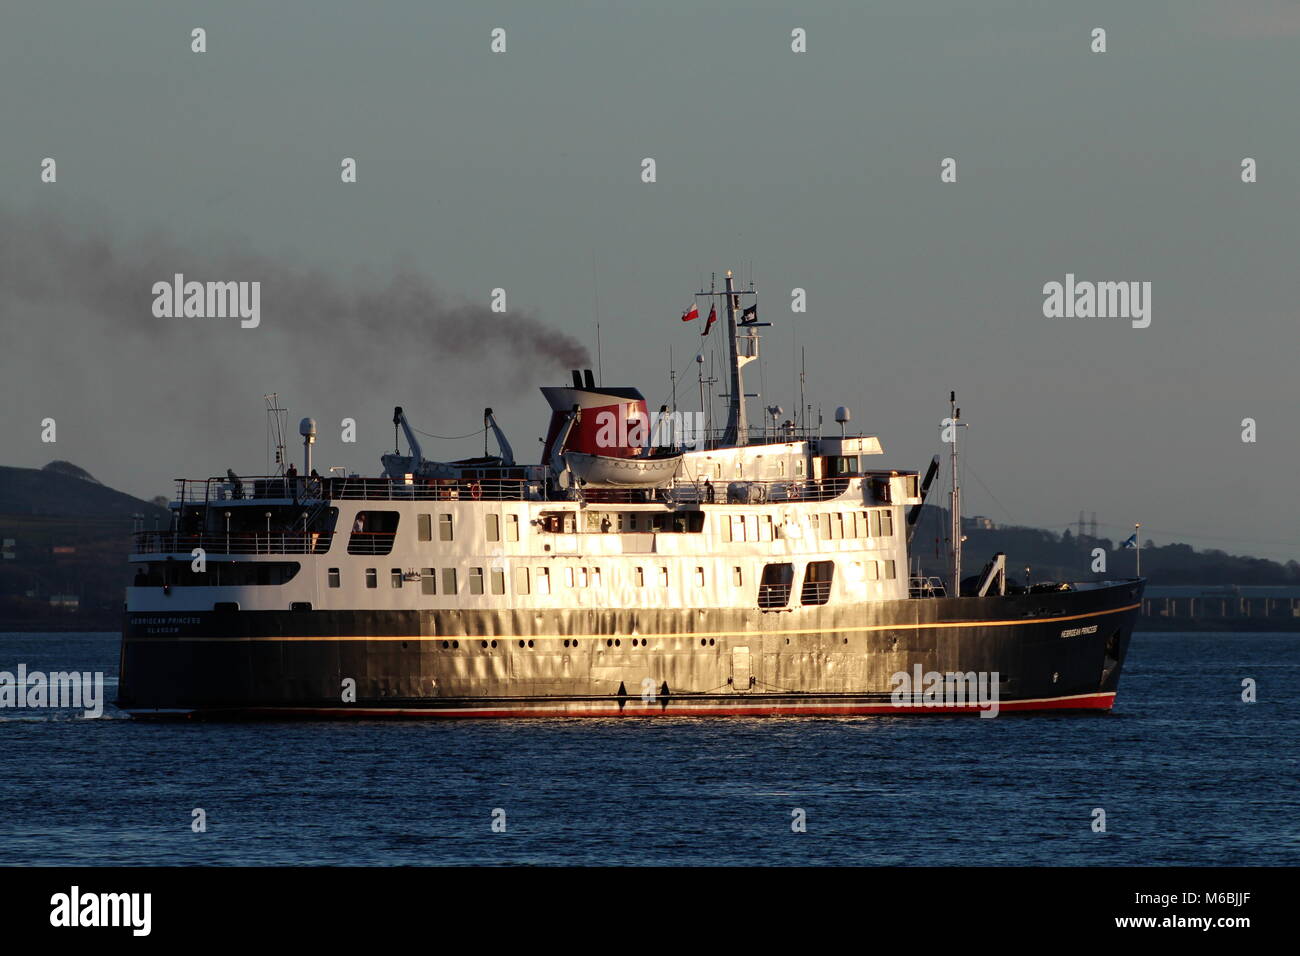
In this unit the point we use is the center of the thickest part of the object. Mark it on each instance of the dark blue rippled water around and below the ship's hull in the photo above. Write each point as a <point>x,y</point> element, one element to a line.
<point>1185,772</point>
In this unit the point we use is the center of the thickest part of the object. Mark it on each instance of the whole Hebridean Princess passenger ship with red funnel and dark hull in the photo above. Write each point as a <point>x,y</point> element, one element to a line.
<point>643,568</point>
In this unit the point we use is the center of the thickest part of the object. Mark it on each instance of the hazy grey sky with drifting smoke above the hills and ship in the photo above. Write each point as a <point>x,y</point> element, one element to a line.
<point>523,171</point>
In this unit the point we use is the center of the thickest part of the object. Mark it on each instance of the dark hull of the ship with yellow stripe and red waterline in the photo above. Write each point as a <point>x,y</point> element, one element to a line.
<point>1055,651</point>
